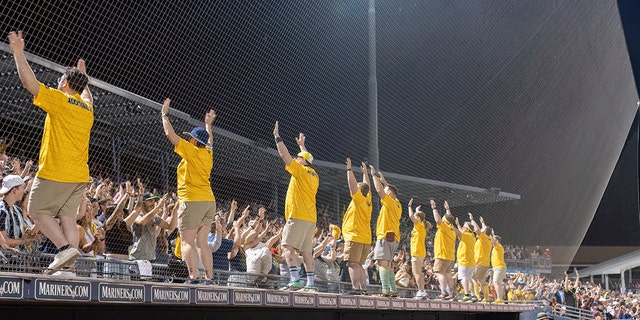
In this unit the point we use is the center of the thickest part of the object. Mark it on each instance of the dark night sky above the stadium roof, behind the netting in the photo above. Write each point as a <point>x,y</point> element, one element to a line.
<point>534,97</point>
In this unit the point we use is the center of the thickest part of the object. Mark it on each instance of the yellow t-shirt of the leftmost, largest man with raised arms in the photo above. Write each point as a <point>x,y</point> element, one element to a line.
<point>64,150</point>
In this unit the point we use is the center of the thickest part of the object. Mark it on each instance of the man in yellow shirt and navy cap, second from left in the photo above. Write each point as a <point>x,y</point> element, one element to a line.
<point>197,204</point>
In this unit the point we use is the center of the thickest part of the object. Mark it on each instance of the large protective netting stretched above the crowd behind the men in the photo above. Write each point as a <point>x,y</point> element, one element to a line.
<point>515,111</point>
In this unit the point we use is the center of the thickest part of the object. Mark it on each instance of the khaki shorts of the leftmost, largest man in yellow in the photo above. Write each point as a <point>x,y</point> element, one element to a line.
<point>55,198</point>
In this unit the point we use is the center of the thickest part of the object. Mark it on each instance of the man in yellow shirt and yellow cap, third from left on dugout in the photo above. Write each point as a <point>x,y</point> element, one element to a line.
<point>299,212</point>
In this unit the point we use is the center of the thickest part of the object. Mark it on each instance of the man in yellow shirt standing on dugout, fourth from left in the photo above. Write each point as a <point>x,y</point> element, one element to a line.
<point>356,228</point>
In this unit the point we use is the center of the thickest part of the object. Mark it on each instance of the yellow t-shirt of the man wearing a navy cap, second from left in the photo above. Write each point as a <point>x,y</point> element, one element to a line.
<point>193,172</point>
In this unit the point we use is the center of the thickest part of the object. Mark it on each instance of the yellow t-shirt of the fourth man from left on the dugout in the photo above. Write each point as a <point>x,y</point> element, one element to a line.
<point>356,223</point>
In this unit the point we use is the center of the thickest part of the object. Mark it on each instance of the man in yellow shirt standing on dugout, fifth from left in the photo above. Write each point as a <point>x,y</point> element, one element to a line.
<point>387,232</point>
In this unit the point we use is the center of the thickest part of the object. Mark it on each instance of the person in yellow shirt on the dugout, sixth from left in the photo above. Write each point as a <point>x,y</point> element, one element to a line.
<point>418,248</point>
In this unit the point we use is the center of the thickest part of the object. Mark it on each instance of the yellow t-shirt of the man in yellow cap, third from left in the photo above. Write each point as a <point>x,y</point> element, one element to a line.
<point>300,202</point>
